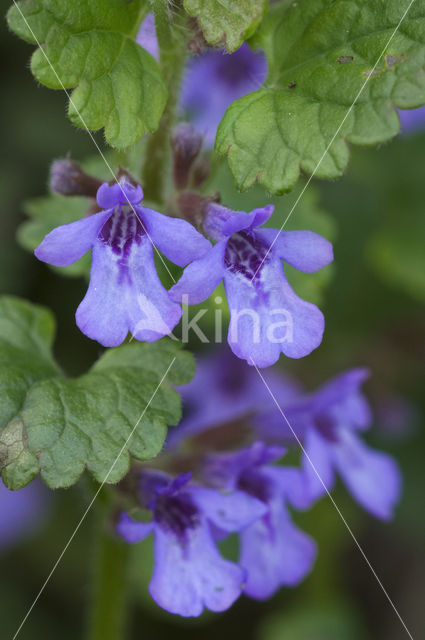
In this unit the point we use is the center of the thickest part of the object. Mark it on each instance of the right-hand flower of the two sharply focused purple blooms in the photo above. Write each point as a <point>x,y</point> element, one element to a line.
<point>266,316</point>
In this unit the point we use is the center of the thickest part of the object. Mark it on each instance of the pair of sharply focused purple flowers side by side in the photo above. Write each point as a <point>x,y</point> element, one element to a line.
<point>126,295</point>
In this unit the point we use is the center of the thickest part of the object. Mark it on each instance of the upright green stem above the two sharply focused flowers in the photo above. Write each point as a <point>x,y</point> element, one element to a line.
<point>173,51</point>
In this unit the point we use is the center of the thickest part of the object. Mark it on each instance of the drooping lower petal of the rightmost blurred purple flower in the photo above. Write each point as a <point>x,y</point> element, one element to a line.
<point>372,477</point>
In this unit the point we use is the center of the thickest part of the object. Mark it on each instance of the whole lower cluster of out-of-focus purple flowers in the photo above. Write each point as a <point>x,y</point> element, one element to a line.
<point>240,484</point>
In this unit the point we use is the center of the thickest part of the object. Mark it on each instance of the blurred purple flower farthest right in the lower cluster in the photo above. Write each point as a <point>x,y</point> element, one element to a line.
<point>328,423</point>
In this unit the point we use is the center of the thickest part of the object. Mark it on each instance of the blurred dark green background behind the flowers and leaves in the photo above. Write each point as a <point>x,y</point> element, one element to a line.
<point>373,299</point>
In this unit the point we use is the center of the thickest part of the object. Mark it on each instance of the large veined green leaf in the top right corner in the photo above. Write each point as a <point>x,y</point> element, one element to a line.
<point>320,53</point>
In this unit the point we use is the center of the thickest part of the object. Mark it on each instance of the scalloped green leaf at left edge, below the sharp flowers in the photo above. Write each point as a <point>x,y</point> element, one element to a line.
<point>58,426</point>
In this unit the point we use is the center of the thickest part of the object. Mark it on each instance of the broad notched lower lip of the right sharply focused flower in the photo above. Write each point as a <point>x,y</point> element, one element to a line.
<point>267,317</point>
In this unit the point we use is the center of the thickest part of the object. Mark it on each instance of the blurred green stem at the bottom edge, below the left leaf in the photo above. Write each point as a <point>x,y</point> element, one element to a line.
<point>108,606</point>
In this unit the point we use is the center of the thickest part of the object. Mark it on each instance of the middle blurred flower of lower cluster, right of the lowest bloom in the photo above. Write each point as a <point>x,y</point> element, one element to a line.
<point>273,551</point>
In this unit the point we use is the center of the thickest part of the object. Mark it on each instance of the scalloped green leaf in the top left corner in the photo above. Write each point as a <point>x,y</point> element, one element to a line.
<point>91,46</point>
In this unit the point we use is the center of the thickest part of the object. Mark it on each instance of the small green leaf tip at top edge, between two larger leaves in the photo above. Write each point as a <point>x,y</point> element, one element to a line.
<point>226,23</point>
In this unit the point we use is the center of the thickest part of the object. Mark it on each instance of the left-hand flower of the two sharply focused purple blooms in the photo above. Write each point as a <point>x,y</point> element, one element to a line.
<point>125,293</point>
